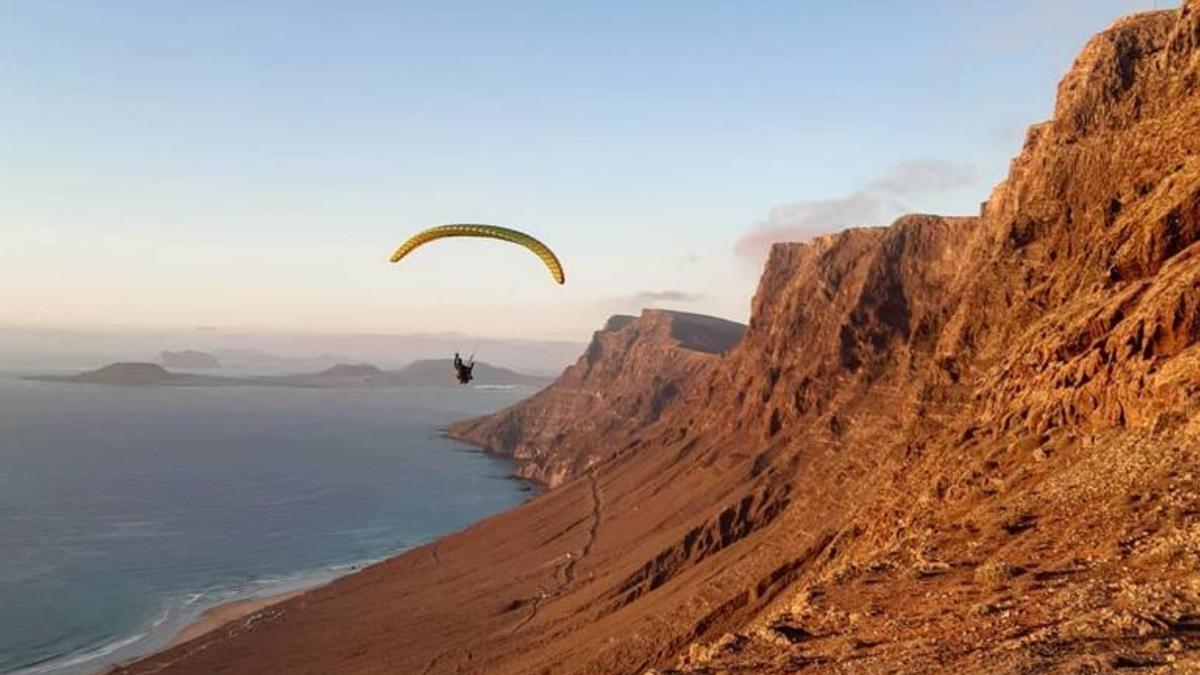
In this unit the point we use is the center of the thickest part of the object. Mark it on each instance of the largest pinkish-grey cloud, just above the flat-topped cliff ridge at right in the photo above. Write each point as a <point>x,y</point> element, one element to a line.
<point>875,204</point>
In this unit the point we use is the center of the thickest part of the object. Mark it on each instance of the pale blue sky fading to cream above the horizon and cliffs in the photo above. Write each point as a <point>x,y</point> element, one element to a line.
<point>250,166</point>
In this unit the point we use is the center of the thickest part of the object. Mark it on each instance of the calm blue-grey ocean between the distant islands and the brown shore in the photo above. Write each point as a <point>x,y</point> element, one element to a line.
<point>125,512</point>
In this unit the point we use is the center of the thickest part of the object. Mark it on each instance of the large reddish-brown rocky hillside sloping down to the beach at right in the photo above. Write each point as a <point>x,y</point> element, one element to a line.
<point>950,445</point>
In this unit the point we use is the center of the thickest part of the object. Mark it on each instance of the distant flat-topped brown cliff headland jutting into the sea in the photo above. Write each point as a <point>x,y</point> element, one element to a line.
<point>629,374</point>
